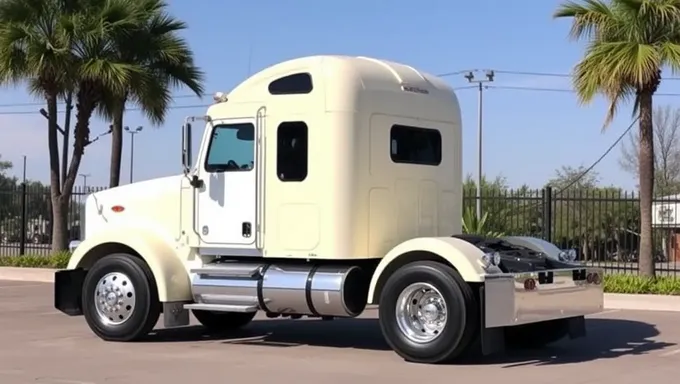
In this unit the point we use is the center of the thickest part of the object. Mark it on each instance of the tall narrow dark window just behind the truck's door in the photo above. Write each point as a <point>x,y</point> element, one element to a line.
<point>292,152</point>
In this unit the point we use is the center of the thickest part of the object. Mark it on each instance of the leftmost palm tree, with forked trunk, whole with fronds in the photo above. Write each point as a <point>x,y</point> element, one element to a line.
<point>62,46</point>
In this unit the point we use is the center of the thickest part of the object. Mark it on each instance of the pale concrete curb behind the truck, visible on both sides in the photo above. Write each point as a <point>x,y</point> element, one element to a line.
<point>612,301</point>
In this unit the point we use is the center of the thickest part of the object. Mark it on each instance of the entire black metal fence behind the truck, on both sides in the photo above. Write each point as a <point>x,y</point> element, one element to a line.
<point>602,224</point>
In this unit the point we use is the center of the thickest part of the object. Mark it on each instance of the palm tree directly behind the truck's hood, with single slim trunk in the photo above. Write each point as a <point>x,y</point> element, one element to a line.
<point>167,62</point>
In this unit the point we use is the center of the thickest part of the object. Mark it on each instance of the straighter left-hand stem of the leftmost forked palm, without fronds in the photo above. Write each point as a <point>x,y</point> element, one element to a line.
<point>59,214</point>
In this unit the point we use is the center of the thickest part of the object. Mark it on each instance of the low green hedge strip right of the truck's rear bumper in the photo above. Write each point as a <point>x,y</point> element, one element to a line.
<point>633,284</point>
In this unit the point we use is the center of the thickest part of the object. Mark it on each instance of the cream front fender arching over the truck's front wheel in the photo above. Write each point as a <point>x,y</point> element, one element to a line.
<point>162,258</point>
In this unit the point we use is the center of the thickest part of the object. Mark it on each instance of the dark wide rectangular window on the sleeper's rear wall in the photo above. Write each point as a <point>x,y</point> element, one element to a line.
<point>413,145</point>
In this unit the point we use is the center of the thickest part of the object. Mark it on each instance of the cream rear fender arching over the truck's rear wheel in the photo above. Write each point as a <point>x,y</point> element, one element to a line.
<point>463,256</point>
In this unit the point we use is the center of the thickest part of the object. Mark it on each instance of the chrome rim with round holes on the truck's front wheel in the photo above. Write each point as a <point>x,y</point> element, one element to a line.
<point>115,298</point>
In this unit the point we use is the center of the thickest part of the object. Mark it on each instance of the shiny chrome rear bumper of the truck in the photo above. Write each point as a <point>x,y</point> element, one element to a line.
<point>531,297</point>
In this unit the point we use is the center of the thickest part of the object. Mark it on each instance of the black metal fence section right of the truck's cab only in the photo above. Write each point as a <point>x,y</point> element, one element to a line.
<point>602,225</point>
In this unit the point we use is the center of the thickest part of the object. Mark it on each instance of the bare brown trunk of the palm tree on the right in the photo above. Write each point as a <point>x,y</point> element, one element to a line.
<point>646,172</point>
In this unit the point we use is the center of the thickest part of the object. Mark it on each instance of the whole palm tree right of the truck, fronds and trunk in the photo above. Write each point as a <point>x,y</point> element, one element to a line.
<point>629,43</point>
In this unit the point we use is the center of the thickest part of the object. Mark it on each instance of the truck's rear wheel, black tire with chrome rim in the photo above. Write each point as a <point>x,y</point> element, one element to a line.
<point>446,327</point>
